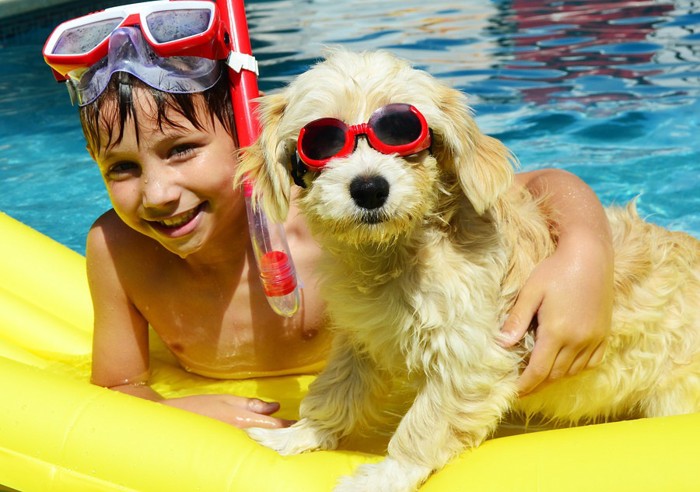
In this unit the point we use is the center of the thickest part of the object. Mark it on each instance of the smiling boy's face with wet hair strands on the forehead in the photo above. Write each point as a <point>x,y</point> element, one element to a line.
<point>172,184</point>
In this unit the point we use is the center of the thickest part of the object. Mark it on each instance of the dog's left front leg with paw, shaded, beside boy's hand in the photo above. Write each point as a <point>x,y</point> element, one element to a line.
<point>337,399</point>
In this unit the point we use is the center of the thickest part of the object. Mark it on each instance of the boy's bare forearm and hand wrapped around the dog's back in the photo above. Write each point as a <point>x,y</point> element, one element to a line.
<point>571,292</point>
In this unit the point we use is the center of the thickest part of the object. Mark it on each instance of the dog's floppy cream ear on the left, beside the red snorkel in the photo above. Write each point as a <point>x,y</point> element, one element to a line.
<point>265,162</point>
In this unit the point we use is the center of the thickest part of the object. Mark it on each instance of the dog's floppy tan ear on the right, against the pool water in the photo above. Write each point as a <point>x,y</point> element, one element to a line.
<point>483,165</point>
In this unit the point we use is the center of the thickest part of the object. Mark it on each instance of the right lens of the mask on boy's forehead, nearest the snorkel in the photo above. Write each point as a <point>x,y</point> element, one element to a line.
<point>171,25</point>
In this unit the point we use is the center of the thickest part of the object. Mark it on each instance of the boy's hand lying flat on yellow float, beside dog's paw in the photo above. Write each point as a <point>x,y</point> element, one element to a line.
<point>235,410</point>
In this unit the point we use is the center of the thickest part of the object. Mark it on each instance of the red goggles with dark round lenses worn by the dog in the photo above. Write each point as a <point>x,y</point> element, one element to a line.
<point>393,129</point>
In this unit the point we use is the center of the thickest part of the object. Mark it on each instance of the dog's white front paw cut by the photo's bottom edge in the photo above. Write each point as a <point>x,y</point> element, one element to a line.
<point>389,475</point>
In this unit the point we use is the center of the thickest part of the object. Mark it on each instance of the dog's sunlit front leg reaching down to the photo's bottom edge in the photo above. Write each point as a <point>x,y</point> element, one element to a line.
<point>457,407</point>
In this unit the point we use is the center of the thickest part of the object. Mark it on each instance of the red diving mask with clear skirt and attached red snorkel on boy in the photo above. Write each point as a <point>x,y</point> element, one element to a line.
<point>175,46</point>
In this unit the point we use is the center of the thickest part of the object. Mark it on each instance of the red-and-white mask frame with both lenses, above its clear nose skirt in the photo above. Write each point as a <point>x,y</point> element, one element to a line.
<point>171,28</point>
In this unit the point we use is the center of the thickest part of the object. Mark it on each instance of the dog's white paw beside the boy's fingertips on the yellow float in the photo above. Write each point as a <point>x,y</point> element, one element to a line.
<point>300,437</point>
